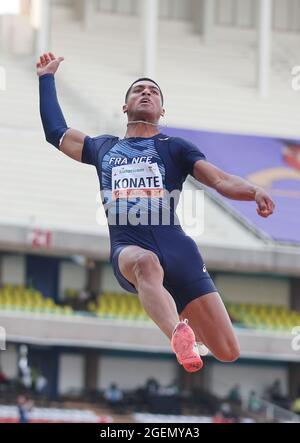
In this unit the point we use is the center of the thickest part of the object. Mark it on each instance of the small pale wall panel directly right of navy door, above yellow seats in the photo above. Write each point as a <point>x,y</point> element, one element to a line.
<point>71,276</point>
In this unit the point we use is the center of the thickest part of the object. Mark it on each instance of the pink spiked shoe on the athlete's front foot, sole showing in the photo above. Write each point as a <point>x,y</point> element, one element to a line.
<point>184,345</point>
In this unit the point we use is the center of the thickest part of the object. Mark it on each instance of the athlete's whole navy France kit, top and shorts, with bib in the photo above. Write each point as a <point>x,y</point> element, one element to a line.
<point>138,179</point>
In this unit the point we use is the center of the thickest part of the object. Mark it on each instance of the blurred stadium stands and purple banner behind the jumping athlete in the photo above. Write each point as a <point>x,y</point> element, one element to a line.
<point>225,67</point>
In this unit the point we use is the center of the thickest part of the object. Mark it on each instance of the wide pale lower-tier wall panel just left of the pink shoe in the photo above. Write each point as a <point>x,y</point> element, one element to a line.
<point>130,373</point>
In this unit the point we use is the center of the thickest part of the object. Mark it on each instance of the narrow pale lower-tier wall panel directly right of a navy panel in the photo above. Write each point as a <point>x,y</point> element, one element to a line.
<point>71,373</point>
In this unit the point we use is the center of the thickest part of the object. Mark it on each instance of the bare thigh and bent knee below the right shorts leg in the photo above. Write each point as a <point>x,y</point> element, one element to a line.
<point>211,324</point>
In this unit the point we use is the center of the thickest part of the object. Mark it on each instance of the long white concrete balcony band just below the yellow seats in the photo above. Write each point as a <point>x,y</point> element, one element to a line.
<point>119,335</point>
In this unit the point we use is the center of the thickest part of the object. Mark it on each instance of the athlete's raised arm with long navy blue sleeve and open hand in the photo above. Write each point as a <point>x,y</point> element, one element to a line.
<point>69,141</point>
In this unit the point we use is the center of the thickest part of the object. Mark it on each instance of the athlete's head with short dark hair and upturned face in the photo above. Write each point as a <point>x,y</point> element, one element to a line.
<point>144,102</point>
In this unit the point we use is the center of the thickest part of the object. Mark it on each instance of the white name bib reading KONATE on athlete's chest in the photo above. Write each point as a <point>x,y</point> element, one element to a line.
<point>138,180</point>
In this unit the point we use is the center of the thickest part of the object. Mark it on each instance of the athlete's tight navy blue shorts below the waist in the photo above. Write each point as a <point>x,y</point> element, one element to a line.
<point>185,274</point>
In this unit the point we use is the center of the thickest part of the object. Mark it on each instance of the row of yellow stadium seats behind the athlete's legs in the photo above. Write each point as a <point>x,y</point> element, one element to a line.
<point>123,306</point>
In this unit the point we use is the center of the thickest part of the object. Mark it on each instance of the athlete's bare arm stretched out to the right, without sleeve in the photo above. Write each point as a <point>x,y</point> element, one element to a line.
<point>233,187</point>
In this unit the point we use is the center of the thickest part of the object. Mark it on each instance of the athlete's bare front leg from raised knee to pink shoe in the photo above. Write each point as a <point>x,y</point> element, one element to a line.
<point>142,268</point>
